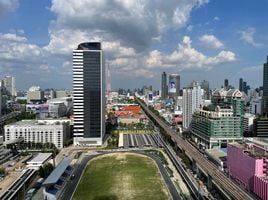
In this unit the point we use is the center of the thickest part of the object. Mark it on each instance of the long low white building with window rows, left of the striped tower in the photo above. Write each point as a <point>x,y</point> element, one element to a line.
<point>39,131</point>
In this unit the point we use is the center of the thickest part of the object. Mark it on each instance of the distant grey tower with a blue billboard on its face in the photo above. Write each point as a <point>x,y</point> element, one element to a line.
<point>174,86</point>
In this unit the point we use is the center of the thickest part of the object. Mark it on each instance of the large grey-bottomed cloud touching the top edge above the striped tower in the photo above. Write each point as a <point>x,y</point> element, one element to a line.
<point>133,23</point>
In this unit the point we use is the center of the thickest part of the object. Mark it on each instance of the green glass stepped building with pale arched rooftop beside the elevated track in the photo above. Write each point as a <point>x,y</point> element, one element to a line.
<point>216,125</point>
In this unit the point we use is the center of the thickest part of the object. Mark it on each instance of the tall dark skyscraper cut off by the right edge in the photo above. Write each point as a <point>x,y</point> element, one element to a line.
<point>265,88</point>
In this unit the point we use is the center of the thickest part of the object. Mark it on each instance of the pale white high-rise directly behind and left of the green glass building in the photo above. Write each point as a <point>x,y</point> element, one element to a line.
<point>191,100</point>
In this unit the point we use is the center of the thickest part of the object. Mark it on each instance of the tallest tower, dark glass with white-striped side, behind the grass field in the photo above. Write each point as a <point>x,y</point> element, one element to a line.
<point>88,94</point>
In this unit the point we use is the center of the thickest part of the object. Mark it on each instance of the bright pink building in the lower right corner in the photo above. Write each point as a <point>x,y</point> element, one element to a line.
<point>248,164</point>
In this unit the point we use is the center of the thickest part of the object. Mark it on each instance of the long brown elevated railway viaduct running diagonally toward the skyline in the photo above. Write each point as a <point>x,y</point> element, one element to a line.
<point>233,190</point>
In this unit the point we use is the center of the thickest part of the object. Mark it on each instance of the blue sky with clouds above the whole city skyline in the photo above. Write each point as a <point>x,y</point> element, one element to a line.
<point>199,39</point>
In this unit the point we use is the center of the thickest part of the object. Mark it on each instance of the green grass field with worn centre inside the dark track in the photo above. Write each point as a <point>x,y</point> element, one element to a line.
<point>121,176</point>
